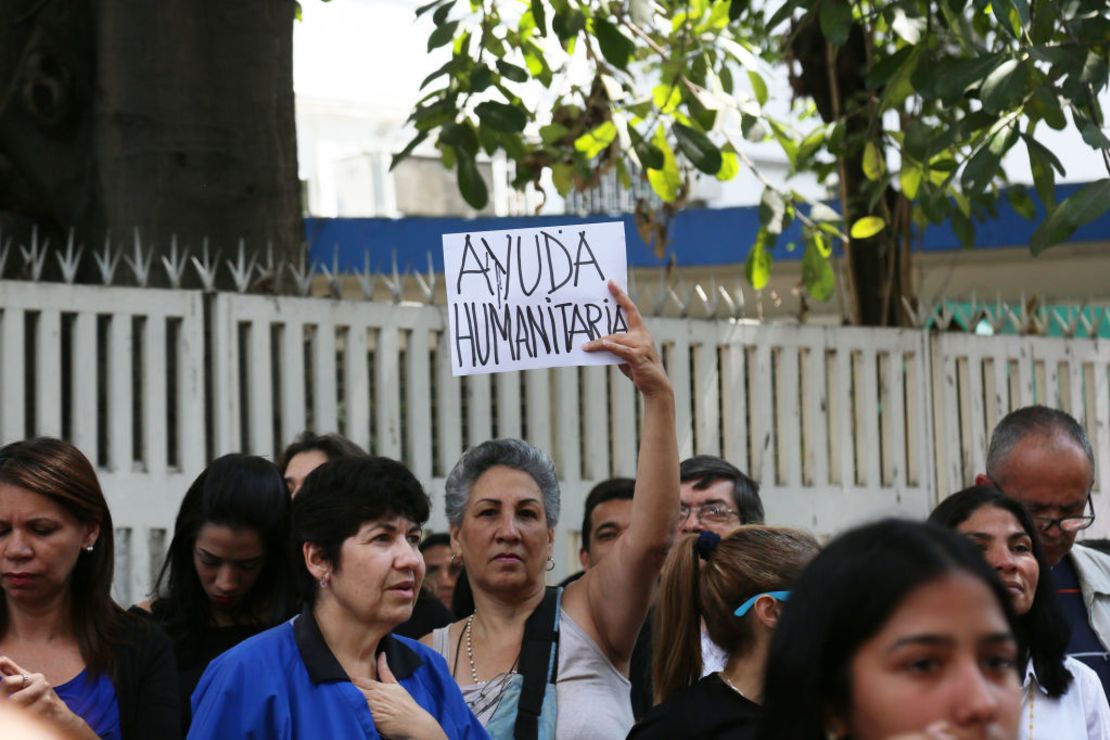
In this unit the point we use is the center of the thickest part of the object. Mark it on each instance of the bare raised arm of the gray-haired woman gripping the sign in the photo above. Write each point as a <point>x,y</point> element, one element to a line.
<point>612,600</point>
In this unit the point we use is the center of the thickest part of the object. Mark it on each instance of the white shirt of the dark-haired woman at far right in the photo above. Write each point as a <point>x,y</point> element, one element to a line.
<point>1082,714</point>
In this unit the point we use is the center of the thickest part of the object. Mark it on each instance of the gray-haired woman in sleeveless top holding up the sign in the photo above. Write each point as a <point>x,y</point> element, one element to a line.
<point>539,663</point>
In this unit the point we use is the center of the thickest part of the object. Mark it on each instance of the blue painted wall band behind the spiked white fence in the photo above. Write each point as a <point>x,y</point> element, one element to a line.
<point>700,237</point>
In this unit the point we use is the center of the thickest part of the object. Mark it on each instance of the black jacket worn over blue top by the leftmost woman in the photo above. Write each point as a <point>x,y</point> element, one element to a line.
<point>146,681</point>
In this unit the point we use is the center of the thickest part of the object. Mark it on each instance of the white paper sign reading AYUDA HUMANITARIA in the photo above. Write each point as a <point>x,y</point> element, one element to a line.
<point>531,298</point>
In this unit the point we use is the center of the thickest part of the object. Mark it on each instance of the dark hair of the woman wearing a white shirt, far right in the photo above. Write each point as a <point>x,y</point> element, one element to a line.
<point>1043,632</point>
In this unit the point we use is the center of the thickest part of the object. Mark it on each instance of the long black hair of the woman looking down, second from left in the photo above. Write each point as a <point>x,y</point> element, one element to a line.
<point>243,492</point>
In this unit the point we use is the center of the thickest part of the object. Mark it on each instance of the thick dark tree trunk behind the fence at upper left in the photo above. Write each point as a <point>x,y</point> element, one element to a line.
<point>175,118</point>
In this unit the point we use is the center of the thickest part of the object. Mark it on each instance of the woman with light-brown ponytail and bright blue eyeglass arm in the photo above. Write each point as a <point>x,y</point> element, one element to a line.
<point>738,586</point>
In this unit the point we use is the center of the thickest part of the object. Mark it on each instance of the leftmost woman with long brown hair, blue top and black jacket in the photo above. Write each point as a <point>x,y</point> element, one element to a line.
<point>68,653</point>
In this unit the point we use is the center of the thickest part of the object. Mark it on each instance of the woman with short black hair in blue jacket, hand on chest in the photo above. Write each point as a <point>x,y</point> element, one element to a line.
<point>335,671</point>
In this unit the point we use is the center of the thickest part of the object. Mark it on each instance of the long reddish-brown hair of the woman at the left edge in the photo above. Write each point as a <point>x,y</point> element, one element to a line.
<point>58,471</point>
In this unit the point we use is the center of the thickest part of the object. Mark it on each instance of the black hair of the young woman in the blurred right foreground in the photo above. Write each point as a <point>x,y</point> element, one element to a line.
<point>841,602</point>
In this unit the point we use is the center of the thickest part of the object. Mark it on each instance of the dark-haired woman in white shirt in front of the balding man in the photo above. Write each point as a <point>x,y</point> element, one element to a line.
<point>1061,697</point>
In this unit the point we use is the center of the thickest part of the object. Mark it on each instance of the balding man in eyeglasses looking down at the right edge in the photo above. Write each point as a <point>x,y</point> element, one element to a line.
<point>1043,458</point>
